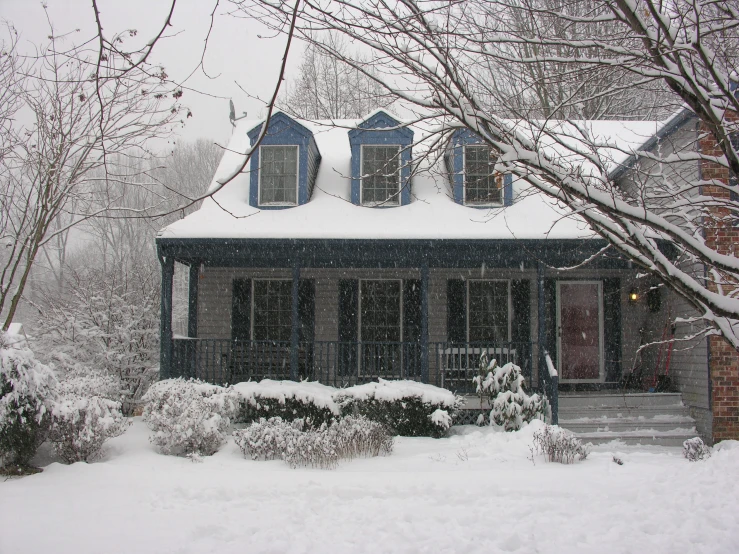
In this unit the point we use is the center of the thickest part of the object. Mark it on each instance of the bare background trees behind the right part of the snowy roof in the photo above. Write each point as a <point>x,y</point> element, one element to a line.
<point>549,83</point>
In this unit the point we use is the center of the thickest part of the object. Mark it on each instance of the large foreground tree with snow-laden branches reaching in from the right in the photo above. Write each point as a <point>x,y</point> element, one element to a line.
<point>439,58</point>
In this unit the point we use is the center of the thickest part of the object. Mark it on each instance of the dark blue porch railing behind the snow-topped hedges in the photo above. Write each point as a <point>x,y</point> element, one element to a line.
<point>450,365</point>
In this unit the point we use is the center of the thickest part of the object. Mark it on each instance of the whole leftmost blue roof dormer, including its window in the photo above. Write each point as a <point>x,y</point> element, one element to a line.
<point>284,166</point>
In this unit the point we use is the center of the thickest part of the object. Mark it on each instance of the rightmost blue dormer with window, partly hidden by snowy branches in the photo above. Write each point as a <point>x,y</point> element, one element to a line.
<point>470,164</point>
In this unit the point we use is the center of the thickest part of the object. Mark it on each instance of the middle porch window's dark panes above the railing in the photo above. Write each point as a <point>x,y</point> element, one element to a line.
<point>380,311</point>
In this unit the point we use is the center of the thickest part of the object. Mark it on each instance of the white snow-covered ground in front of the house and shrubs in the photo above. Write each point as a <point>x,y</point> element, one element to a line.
<point>474,492</point>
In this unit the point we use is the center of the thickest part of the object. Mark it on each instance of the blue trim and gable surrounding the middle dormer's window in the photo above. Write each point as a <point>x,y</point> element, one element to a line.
<point>380,128</point>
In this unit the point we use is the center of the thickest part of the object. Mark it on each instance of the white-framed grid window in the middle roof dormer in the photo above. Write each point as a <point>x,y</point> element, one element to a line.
<point>380,174</point>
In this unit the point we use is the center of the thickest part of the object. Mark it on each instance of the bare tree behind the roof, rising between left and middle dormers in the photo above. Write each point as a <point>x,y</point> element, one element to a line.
<point>328,88</point>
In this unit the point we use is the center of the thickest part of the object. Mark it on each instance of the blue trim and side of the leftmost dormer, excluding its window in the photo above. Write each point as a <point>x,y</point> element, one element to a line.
<point>285,131</point>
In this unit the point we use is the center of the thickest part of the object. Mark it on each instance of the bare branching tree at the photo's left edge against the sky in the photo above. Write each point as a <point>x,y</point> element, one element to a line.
<point>85,107</point>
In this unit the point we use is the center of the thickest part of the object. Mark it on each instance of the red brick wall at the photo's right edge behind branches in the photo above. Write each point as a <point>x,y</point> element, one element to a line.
<point>722,236</point>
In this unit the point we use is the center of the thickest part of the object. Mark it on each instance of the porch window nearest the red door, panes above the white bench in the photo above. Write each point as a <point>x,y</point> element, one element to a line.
<point>488,311</point>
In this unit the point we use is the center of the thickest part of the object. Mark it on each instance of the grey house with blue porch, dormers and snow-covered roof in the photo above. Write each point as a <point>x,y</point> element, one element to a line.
<point>343,254</point>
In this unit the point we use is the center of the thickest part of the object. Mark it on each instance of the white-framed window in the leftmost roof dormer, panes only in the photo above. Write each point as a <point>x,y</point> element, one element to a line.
<point>278,178</point>
